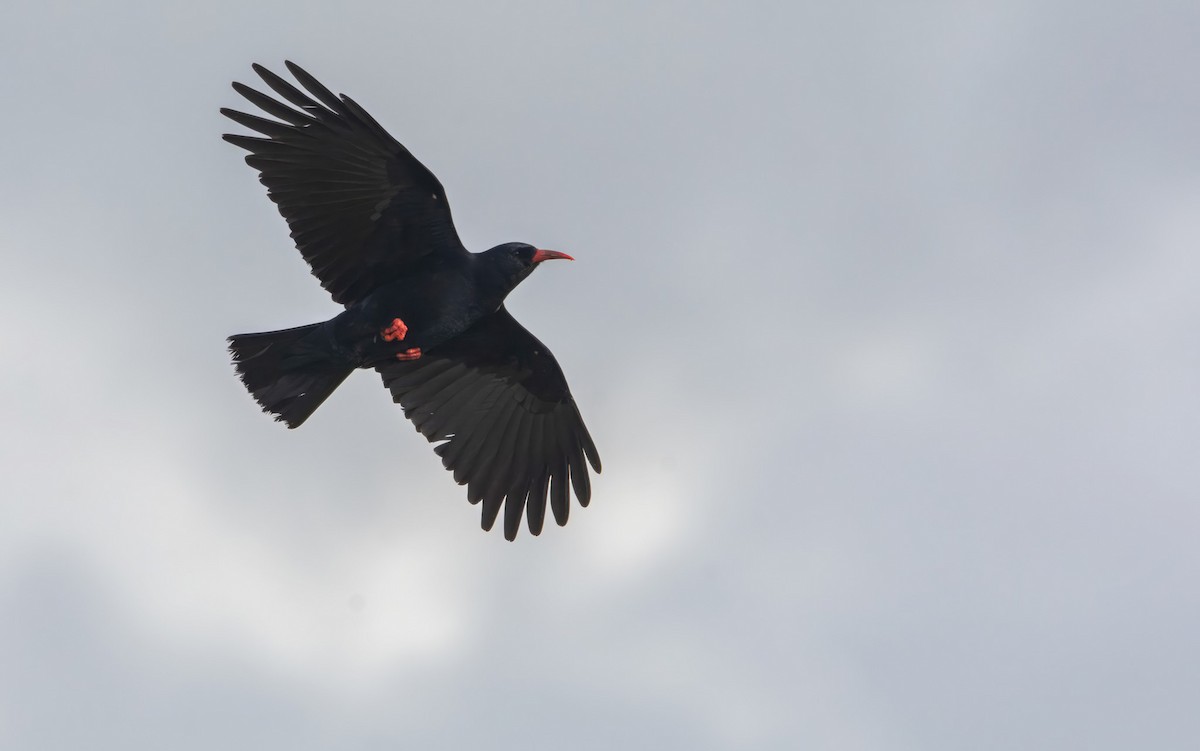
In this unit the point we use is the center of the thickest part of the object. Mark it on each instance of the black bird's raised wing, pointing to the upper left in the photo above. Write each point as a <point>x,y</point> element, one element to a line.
<point>361,207</point>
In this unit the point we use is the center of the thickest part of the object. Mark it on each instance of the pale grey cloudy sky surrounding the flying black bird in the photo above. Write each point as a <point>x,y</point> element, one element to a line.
<point>885,321</point>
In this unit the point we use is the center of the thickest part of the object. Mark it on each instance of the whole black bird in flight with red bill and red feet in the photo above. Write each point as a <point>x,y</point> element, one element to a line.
<point>429,316</point>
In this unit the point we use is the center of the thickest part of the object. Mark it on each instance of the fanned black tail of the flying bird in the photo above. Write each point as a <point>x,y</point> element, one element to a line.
<point>290,373</point>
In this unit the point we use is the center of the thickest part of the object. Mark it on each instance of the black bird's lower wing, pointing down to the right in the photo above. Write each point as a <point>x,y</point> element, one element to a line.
<point>500,401</point>
